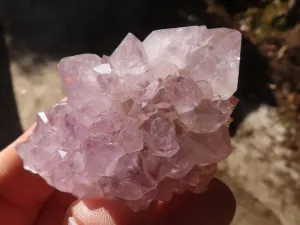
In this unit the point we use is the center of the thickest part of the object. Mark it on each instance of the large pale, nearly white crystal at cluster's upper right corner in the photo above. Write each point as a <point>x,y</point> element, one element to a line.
<point>212,55</point>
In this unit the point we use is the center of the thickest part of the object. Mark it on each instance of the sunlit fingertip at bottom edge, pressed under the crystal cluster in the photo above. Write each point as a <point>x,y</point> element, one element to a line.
<point>97,212</point>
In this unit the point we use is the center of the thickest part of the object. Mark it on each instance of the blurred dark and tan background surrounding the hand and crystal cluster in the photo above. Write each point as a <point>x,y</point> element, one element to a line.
<point>264,169</point>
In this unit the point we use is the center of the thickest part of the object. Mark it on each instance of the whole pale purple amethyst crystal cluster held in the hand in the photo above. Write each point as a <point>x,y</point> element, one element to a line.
<point>148,121</point>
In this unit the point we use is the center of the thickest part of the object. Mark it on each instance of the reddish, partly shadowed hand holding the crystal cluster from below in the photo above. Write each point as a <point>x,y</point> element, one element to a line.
<point>26,199</point>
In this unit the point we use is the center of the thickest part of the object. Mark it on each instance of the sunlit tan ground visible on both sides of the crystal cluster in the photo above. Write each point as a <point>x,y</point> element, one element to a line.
<point>263,174</point>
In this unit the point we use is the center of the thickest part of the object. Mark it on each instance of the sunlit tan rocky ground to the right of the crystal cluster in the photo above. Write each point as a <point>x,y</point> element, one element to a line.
<point>263,174</point>
